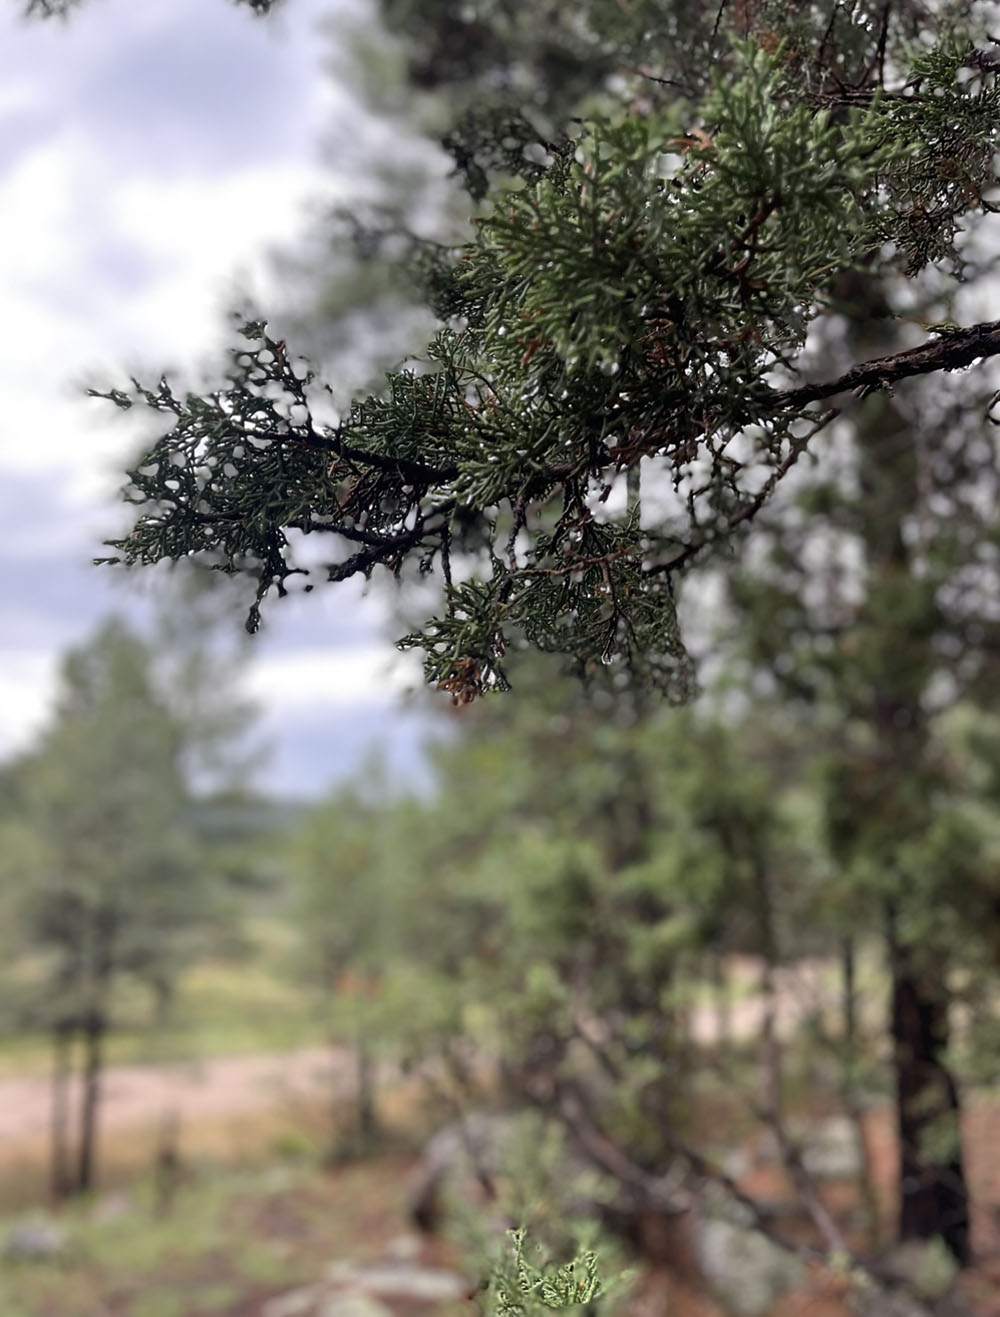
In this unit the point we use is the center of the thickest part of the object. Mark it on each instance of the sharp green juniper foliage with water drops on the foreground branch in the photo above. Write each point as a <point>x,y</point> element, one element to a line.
<point>621,377</point>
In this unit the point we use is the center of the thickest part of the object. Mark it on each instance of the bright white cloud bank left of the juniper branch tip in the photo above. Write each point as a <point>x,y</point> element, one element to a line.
<point>61,322</point>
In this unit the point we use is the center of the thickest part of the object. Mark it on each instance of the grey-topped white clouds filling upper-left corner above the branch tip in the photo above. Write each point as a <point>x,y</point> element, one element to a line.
<point>111,250</point>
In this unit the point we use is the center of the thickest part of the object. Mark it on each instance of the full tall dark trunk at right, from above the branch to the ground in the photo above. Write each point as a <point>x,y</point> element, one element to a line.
<point>895,790</point>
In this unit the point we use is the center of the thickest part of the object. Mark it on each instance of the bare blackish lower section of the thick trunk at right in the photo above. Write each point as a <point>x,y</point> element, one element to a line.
<point>933,1193</point>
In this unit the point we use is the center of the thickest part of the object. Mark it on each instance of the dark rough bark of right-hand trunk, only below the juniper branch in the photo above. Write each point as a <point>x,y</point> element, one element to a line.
<point>933,1198</point>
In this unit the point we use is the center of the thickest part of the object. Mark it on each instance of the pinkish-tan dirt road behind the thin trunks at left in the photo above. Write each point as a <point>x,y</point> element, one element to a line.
<point>138,1096</point>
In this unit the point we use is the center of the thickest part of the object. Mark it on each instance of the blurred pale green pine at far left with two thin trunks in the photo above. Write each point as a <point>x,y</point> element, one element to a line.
<point>113,880</point>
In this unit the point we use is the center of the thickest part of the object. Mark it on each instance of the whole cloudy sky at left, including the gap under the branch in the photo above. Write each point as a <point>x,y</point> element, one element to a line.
<point>152,156</point>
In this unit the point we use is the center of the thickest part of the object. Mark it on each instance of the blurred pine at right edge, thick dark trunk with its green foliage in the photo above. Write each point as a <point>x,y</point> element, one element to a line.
<point>866,612</point>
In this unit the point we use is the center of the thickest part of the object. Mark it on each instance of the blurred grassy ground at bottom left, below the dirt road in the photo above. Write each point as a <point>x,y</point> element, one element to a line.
<point>230,1241</point>
